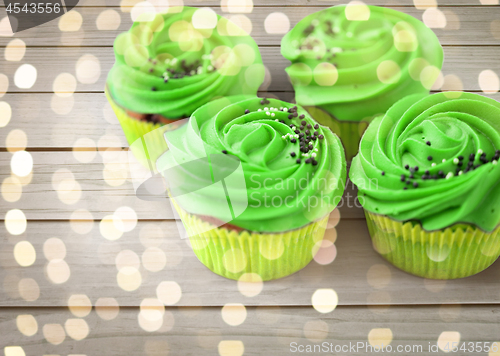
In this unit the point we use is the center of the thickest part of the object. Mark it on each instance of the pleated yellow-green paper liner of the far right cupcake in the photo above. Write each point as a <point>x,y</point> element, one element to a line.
<point>458,251</point>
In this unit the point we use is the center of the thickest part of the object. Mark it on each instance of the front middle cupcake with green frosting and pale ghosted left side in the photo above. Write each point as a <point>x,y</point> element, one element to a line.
<point>254,182</point>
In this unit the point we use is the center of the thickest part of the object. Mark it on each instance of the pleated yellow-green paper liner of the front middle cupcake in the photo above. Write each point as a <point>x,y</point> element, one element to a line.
<point>232,254</point>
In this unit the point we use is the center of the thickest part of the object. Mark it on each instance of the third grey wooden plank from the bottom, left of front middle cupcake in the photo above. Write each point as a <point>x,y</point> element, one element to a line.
<point>103,185</point>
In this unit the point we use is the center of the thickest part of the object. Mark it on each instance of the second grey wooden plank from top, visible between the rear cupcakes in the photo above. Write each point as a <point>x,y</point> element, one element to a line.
<point>466,62</point>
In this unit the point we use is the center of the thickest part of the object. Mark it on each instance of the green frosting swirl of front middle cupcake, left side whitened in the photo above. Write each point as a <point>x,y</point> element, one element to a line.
<point>261,164</point>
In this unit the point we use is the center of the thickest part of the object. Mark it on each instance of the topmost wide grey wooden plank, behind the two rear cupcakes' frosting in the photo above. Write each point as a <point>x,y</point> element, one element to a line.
<point>465,25</point>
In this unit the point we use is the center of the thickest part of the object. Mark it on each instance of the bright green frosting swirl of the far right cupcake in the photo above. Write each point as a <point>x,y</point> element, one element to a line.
<point>433,159</point>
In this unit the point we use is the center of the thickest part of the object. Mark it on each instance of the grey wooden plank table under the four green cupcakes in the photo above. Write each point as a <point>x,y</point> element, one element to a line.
<point>74,284</point>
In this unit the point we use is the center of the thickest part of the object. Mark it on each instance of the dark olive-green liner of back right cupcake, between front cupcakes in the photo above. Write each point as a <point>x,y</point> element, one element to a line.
<point>349,132</point>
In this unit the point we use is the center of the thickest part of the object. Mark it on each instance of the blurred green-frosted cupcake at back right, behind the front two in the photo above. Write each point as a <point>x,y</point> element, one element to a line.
<point>351,63</point>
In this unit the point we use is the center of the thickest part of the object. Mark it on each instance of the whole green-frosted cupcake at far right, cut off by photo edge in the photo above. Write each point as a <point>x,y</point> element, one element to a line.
<point>429,183</point>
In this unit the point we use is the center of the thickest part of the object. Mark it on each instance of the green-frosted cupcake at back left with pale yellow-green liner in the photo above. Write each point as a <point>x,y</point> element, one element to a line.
<point>169,64</point>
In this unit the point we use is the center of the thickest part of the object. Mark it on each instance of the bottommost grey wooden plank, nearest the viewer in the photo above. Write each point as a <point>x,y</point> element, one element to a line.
<point>264,331</point>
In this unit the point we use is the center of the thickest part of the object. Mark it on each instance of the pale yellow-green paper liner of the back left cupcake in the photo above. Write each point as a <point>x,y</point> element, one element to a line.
<point>152,143</point>
